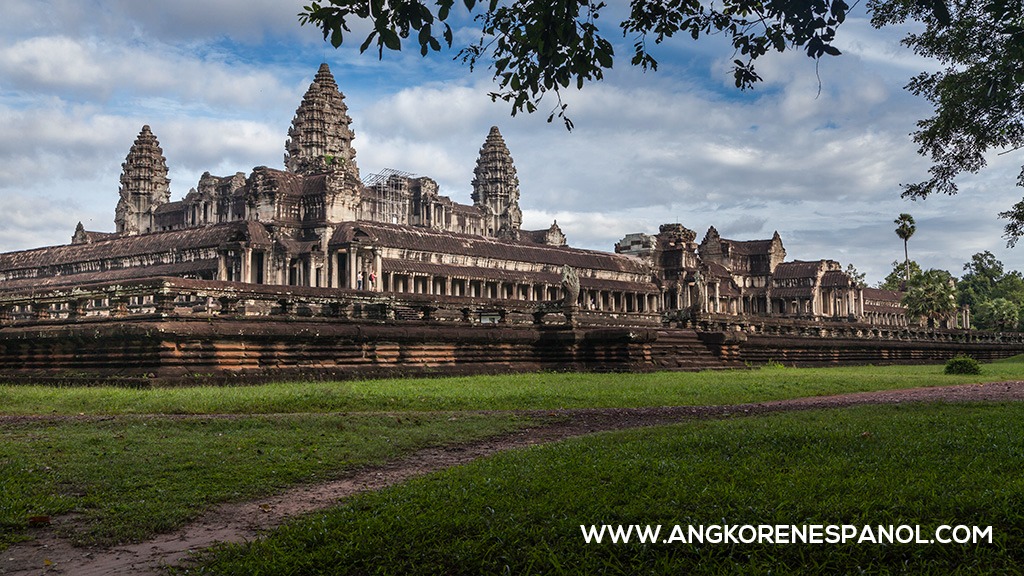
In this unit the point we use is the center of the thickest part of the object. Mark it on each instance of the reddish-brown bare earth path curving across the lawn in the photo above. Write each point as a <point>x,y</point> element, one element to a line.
<point>239,522</point>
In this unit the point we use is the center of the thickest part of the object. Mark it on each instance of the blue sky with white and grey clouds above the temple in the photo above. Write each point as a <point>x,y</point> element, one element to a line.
<point>220,83</point>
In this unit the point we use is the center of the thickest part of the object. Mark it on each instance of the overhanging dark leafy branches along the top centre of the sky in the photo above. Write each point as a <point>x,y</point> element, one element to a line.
<point>540,47</point>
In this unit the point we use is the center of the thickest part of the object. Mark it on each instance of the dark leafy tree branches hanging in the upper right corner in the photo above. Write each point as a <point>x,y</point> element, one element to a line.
<point>978,95</point>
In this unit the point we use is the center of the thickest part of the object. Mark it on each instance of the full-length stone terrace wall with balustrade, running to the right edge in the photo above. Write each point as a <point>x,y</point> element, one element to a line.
<point>167,332</point>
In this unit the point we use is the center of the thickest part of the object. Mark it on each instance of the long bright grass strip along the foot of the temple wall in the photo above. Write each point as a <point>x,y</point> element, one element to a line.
<point>542,391</point>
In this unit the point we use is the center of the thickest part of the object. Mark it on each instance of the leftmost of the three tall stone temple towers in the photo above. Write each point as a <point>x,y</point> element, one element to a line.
<point>145,186</point>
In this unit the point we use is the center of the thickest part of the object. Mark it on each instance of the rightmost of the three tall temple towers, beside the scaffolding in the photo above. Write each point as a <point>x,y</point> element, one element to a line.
<point>496,188</point>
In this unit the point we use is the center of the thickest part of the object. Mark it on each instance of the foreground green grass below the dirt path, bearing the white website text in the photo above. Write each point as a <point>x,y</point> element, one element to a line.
<point>521,513</point>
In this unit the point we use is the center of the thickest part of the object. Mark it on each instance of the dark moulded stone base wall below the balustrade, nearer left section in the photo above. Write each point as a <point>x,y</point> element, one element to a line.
<point>169,352</point>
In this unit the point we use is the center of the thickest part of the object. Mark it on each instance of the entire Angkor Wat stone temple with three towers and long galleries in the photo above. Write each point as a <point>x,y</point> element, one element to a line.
<point>317,246</point>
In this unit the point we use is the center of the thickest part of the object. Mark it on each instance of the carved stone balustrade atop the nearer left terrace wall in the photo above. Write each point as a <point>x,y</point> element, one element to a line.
<point>184,299</point>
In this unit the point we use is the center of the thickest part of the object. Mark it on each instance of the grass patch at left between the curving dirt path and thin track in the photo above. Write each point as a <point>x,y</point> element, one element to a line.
<point>129,478</point>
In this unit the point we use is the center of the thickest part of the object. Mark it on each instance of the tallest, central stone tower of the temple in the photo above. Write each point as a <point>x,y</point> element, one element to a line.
<point>321,139</point>
